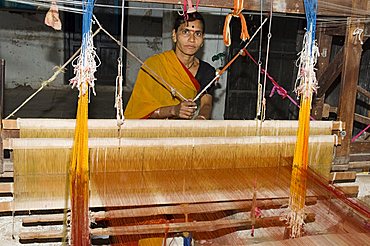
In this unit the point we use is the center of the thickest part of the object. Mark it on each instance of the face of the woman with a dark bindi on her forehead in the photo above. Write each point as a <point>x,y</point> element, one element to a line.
<point>189,37</point>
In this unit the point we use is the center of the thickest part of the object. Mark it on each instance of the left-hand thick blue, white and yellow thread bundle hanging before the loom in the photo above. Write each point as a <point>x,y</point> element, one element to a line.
<point>79,168</point>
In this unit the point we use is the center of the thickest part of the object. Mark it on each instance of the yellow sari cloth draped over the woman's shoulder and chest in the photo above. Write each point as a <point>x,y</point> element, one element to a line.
<point>149,95</point>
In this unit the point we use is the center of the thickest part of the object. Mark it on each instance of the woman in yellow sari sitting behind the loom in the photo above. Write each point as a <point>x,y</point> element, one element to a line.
<point>180,69</point>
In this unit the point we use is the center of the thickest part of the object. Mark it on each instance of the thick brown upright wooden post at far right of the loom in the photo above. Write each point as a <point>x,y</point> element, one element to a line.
<point>348,87</point>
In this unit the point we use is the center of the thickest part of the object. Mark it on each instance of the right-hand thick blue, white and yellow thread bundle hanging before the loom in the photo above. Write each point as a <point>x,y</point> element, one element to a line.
<point>307,85</point>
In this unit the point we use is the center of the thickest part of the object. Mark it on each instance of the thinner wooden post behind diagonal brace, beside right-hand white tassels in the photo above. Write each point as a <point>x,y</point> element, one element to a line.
<point>324,43</point>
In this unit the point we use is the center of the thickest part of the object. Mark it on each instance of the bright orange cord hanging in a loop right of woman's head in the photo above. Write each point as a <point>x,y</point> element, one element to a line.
<point>237,12</point>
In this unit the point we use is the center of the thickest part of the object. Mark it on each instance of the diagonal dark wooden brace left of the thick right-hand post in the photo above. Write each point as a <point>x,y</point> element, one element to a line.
<point>330,73</point>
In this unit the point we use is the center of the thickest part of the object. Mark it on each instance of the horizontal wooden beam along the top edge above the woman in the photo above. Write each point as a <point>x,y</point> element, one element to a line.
<point>325,7</point>
